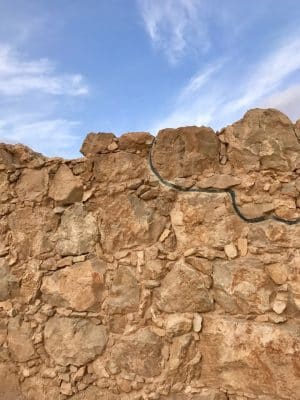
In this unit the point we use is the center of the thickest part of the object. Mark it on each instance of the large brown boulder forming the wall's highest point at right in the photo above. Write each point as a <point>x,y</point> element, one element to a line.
<point>251,143</point>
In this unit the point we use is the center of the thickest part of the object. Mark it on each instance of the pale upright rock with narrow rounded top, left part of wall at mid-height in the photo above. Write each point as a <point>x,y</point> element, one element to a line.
<point>77,233</point>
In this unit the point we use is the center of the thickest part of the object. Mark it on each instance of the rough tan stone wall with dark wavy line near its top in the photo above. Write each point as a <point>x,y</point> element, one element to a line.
<point>154,269</point>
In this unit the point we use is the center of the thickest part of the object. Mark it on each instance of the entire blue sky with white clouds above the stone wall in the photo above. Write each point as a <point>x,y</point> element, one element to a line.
<point>69,67</point>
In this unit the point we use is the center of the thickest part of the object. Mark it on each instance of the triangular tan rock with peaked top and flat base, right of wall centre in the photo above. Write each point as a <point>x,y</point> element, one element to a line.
<point>183,290</point>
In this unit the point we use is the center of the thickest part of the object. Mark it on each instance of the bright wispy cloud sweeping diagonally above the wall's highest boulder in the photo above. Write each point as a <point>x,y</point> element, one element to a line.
<point>214,97</point>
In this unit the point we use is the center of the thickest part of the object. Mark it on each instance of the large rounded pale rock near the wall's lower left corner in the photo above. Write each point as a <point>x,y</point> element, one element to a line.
<point>73,340</point>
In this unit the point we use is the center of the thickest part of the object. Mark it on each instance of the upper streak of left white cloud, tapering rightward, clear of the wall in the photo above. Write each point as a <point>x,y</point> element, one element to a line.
<point>19,76</point>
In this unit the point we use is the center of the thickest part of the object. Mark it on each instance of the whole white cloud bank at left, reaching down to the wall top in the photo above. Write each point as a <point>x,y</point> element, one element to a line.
<point>32,102</point>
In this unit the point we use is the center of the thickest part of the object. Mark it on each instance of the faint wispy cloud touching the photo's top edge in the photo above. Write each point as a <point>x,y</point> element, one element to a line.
<point>173,24</point>
